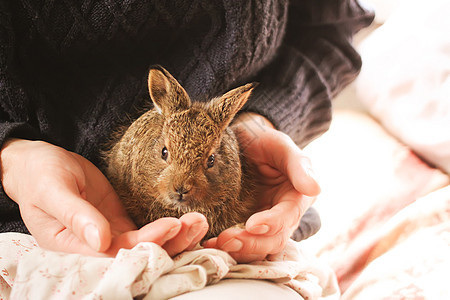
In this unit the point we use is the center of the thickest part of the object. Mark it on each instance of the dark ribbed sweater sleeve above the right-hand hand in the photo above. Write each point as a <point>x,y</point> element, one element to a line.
<point>315,62</point>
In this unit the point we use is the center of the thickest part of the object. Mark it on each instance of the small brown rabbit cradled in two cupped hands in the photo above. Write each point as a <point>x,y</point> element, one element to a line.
<point>181,156</point>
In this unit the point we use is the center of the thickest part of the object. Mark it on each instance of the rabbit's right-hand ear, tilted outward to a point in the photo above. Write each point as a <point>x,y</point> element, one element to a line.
<point>222,110</point>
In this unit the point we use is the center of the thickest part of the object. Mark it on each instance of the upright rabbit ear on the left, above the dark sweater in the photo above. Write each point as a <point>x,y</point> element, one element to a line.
<point>167,94</point>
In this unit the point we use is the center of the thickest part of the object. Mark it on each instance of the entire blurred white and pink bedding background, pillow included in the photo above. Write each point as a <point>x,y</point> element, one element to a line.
<point>384,164</point>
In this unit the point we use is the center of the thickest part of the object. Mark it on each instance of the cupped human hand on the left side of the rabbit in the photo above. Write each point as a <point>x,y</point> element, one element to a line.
<point>68,205</point>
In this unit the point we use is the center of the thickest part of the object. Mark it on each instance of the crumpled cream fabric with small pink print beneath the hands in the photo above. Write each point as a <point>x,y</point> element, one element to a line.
<point>30,272</point>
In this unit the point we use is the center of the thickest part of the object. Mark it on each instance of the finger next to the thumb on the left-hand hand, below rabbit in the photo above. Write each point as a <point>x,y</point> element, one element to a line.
<point>157,232</point>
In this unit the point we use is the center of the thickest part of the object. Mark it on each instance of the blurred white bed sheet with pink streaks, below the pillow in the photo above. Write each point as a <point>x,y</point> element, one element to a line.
<point>385,213</point>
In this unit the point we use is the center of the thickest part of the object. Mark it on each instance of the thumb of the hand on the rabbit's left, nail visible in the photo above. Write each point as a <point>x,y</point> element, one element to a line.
<point>77,214</point>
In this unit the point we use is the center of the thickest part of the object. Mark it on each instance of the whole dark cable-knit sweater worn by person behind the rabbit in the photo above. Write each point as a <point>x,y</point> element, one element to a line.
<point>70,70</point>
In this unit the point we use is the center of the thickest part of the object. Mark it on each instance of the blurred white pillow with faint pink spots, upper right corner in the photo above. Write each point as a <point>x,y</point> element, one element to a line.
<point>405,78</point>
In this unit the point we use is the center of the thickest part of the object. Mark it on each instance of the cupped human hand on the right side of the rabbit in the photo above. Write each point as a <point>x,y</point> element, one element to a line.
<point>286,189</point>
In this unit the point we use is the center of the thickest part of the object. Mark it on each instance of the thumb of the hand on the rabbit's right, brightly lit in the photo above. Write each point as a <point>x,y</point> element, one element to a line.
<point>290,160</point>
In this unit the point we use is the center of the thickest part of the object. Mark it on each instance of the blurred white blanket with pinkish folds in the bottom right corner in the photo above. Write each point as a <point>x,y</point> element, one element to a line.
<point>410,255</point>
